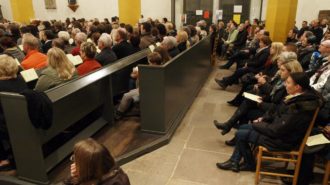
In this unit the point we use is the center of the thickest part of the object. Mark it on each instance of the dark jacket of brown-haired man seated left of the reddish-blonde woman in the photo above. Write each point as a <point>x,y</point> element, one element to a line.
<point>258,60</point>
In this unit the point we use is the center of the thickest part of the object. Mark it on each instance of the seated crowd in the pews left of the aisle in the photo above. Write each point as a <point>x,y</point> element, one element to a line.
<point>48,48</point>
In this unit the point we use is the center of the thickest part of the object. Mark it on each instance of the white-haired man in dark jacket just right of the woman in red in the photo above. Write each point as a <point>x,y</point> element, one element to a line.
<point>106,56</point>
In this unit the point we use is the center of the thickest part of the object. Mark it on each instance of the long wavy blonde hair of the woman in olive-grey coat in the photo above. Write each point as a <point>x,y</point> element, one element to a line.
<point>60,62</point>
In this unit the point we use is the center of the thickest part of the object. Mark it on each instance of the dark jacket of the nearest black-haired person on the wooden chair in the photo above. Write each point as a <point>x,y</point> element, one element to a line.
<point>286,128</point>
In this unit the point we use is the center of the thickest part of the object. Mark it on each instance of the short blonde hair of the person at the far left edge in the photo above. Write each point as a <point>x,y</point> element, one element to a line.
<point>8,67</point>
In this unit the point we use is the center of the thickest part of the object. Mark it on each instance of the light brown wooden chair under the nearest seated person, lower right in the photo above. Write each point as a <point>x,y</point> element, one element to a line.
<point>283,156</point>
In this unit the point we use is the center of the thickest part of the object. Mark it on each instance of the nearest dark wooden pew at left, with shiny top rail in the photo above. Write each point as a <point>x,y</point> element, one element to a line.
<point>85,101</point>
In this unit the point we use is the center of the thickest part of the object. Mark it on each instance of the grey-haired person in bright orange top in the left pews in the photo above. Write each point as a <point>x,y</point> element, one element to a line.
<point>33,59</point>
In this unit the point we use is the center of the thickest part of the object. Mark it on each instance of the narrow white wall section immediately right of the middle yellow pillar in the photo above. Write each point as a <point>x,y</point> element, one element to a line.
<point>156,9</point>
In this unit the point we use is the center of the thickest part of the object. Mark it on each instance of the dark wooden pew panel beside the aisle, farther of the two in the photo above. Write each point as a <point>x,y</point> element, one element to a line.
<point>167,91</point>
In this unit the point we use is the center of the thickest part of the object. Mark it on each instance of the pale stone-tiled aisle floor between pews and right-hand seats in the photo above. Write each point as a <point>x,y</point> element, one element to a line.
<point>190,157</point>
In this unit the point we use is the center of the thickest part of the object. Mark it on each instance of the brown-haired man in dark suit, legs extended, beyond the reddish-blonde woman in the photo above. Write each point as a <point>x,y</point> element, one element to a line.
<point>255,65</point>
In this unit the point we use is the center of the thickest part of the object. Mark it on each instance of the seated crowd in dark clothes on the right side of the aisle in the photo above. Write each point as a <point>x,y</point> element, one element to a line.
<point>291,81</point>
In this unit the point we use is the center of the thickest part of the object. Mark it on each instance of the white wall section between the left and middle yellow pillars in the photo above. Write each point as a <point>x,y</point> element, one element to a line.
<point>87,9</point>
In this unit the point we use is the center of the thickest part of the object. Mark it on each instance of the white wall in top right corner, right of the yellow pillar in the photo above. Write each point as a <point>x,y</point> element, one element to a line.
<point>309,9</point>
